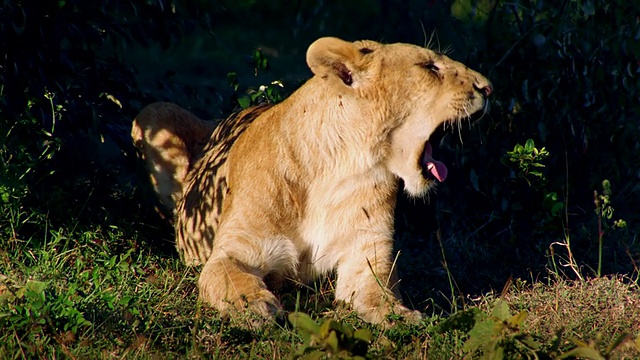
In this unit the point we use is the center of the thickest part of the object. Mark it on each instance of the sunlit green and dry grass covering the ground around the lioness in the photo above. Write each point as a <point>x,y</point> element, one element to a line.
<point>105,292</point>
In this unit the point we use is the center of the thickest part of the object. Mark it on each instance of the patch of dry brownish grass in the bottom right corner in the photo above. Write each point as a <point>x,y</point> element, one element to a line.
<point>600,308</point>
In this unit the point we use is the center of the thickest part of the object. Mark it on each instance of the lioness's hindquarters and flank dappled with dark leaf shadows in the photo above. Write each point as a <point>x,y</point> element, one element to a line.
<point>187,161</point>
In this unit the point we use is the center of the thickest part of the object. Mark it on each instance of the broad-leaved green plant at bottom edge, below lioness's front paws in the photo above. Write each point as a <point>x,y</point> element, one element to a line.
<point>335,339</point>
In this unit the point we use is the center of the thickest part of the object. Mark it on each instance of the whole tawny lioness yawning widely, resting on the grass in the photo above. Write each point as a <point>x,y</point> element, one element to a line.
<point>307,186</point>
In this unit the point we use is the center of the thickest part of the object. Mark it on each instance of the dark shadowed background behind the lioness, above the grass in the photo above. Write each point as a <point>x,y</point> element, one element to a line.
<point>73,75</point>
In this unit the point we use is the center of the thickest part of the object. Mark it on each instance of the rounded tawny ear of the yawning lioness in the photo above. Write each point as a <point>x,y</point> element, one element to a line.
<point>335,56</point>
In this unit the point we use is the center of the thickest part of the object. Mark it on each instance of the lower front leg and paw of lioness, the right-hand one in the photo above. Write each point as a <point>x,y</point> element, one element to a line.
<point>367,280</point>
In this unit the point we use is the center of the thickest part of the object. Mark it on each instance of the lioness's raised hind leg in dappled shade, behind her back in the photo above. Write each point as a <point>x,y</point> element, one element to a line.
<point>171,139</point>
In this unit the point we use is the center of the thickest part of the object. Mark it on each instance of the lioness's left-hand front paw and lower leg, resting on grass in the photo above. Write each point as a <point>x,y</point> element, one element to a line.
<point>231,286</point>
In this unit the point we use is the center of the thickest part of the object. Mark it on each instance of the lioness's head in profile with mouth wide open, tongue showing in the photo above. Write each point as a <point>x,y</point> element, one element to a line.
<point>409,91</point>
